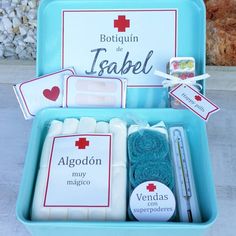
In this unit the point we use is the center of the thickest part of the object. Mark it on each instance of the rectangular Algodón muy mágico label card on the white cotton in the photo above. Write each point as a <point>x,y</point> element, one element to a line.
<point>79,171</point>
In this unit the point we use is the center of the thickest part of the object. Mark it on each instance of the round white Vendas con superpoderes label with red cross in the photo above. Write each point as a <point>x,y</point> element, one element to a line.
<point>152,201</point>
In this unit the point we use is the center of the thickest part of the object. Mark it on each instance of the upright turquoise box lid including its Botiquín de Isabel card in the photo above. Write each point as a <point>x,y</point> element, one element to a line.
<point>117,38</point>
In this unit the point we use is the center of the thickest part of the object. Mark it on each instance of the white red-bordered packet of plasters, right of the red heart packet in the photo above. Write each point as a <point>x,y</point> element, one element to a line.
<point>87,91</point>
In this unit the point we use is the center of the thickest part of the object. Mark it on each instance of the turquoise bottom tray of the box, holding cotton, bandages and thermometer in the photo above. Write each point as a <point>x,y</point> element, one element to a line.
<point>196,132</point>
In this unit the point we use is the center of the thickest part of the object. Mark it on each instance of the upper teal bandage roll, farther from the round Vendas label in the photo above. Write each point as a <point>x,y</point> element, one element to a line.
<point>147,145</point>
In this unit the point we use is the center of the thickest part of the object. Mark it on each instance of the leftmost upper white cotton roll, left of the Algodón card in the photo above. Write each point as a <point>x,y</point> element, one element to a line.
<point>54,130</point>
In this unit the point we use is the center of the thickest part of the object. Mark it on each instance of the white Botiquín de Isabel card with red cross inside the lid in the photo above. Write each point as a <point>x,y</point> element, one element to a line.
<point>120,43</point>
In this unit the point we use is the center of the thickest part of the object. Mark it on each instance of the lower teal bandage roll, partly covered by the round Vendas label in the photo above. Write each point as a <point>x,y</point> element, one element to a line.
<point>152,171</point>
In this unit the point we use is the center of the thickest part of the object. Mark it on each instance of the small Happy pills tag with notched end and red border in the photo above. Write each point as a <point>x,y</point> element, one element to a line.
<point>194,101</point>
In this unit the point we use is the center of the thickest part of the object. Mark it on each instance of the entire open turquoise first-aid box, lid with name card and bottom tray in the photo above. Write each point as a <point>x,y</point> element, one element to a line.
<point>127,40</point>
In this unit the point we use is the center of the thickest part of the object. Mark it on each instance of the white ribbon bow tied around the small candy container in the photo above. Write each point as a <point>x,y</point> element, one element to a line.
<point>171,80</point>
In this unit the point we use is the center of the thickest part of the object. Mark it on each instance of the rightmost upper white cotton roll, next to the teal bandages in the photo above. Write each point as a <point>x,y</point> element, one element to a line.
<point>119,147</point>
